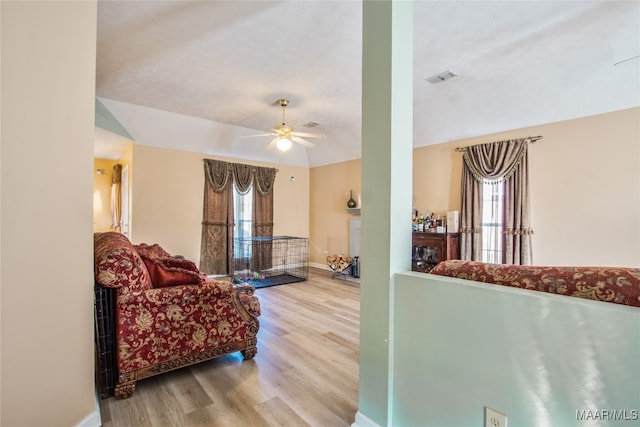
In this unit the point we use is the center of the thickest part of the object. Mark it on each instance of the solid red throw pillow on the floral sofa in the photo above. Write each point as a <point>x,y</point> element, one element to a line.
<point>172,272</point>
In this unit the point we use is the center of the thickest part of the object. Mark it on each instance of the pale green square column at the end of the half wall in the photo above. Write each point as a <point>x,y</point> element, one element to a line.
<point>387,144</point>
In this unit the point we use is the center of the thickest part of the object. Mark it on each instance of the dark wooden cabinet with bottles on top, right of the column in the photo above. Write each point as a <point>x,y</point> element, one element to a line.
<point>428,249</point>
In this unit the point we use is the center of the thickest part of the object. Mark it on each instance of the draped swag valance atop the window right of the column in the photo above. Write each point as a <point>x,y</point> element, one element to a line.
<point>496,161</point>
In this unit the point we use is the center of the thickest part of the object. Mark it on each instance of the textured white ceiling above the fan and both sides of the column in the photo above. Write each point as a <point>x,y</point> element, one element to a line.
<point>519,63</point>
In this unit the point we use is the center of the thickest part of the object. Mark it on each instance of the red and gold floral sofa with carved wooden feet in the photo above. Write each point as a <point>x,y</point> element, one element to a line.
<point>167,313</point>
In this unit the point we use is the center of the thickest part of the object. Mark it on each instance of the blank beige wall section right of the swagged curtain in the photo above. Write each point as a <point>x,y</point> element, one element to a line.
<point>585,187</point>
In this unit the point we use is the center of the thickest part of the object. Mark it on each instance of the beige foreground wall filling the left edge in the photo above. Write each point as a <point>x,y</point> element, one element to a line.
<point>48,92</point>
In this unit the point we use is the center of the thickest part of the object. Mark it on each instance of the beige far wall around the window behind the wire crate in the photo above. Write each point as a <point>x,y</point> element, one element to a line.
<point>167,193</point>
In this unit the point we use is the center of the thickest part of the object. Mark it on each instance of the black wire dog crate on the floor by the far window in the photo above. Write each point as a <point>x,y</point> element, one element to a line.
<point>268,261</point>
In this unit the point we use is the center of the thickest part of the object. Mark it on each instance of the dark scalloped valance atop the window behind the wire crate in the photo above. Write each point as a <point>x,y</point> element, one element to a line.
<point>220,173</point>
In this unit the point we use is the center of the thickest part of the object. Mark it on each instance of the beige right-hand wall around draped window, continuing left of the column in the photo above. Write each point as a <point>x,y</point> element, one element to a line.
<point>585,190</point>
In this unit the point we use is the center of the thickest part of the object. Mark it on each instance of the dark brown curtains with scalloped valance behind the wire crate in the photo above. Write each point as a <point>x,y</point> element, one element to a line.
<point>216,252</point>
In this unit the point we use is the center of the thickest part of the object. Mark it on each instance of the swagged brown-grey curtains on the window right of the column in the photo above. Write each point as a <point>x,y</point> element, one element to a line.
<point>499,162</point>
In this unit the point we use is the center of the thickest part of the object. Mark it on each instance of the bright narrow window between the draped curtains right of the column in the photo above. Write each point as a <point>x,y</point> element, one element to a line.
<point>492,222</point>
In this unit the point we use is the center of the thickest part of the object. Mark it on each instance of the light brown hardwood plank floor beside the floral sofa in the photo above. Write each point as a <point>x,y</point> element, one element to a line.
<point>305,372</point>
